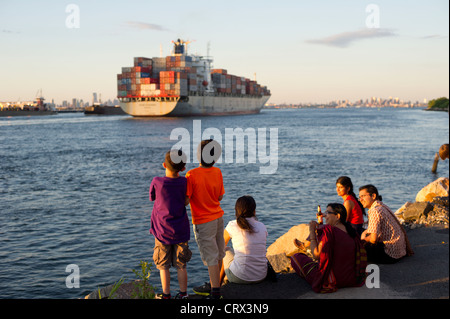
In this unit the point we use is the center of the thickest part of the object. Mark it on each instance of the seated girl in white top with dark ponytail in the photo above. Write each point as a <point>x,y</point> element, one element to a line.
<point>246,262</point>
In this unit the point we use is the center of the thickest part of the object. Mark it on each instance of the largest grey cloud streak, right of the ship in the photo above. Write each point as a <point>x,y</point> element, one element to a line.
<point>345,39</point>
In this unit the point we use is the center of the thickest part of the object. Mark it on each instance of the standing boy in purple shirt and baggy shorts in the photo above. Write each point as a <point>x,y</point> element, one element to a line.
<point>170,223</point>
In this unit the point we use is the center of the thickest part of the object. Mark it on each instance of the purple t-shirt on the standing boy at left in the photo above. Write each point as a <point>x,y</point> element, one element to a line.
<point>169,220</point>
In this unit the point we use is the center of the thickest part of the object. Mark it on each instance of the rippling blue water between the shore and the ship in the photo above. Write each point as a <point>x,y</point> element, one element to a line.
<point>74,188</point>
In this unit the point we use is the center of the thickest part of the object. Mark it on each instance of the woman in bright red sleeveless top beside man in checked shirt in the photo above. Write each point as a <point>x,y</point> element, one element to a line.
<point>355,211</point>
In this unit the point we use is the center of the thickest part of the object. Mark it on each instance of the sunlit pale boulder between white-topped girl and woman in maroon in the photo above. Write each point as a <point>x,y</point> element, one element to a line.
<point>279,252</point>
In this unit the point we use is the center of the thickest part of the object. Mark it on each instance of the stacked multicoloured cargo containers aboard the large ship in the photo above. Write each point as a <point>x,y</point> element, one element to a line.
<point>180,75</point>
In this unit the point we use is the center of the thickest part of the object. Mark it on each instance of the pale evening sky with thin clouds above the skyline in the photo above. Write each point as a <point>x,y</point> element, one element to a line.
<point>304,51</point>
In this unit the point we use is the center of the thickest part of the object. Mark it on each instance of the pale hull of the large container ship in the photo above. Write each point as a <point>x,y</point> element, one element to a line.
<point>196,106</point>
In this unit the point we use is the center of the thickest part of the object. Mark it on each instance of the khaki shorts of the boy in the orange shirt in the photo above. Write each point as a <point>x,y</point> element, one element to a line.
<point>209,238</point>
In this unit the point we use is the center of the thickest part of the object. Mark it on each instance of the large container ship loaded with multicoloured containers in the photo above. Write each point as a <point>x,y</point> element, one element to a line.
<point>186,85</point>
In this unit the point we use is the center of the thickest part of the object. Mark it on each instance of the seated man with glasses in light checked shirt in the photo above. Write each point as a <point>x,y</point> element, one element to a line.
<point>385,239</point>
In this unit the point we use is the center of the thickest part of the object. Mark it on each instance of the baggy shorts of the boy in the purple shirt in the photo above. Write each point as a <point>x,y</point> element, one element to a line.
<point>176,255</point>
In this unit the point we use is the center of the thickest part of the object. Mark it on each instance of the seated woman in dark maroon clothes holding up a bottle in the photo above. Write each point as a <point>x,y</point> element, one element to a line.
<point>341,257</point>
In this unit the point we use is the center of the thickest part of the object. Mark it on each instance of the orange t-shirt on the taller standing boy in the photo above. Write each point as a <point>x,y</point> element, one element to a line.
<point>204,187</point>
